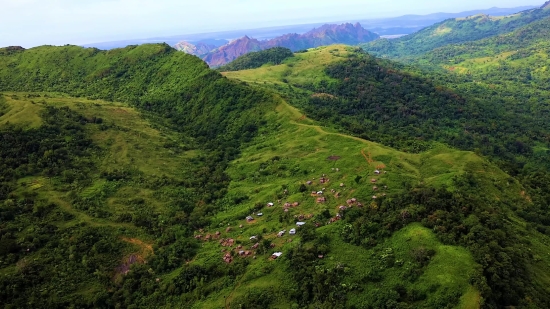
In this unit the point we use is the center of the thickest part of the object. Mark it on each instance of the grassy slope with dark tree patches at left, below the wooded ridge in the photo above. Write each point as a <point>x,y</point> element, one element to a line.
<point>94,189</point>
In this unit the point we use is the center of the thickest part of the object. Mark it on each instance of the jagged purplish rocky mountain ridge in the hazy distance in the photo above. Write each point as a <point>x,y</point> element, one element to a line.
<point>350,34</point>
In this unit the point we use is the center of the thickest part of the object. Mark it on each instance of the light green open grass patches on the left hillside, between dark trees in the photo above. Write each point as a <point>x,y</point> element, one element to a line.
<point>128,141</point>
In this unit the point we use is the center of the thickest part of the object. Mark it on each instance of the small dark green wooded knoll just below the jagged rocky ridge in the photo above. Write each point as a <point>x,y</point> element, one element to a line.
<point>254,60</point>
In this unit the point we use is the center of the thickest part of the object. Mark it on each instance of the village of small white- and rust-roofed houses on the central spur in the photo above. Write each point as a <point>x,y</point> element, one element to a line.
<point>236,243</point>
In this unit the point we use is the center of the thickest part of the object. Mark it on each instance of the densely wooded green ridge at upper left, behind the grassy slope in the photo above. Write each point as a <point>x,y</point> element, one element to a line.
<point>153,77</point>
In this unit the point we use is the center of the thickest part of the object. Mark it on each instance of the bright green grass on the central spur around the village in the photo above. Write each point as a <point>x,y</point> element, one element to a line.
<point>293,150</point>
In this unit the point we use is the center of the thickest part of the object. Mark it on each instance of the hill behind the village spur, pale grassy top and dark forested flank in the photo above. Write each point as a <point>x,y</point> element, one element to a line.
<point>402,106</point>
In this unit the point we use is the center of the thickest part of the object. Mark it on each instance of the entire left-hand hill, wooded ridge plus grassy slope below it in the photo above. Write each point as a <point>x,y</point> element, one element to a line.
<point>90,188</point>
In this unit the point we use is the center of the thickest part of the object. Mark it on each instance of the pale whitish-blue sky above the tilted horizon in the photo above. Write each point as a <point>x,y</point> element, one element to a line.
<point>31,23</point>
